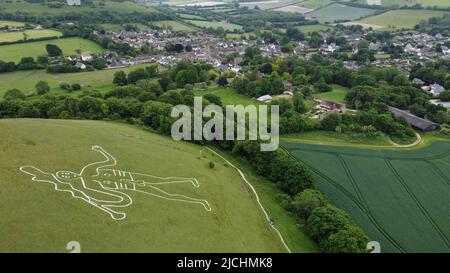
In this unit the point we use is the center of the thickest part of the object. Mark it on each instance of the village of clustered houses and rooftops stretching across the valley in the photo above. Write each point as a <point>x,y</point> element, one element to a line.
<point>168,47</point>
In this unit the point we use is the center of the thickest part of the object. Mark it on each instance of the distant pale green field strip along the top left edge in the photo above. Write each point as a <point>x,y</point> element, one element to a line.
<point>37,8</point>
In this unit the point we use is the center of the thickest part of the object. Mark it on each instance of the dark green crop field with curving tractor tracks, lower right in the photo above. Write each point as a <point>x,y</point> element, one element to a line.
<point>400,198</point>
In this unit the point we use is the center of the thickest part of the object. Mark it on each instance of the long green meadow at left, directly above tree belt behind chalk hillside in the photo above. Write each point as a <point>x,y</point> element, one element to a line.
<point>100,80</point>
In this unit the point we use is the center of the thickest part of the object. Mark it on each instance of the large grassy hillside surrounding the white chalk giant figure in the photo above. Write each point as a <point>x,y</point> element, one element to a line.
<point>38,218</point>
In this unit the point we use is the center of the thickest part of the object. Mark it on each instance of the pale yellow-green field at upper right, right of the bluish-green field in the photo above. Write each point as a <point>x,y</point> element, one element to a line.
<point>396,19</point>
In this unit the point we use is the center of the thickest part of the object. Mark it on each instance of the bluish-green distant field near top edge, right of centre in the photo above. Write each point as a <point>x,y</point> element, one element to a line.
<point>337,12</point>
